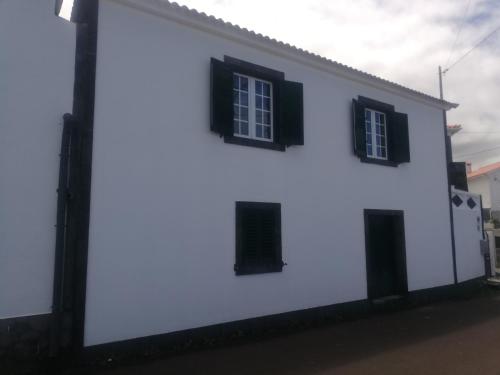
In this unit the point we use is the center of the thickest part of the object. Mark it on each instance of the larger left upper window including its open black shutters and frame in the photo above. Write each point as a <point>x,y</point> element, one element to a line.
<point>252,105</point>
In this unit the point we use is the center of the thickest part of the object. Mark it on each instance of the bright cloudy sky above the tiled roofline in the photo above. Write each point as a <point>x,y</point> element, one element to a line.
<point>403,41</point>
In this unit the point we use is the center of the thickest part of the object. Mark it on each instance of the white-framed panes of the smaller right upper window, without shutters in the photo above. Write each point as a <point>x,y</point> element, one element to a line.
<point>376,134</point>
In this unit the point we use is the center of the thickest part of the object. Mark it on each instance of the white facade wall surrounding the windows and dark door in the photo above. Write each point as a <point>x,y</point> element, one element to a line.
<point>164,187</point>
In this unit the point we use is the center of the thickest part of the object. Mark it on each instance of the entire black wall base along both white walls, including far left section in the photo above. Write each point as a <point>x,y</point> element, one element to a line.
<point>27,338</point>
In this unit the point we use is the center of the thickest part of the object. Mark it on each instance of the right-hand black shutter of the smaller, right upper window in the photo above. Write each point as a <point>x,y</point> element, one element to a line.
<point>398,137</point>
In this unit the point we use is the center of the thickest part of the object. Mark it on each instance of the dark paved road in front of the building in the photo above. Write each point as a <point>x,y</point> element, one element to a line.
<point>456,337</point>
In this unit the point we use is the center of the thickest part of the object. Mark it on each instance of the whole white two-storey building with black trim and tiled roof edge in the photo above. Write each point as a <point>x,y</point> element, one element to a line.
<point>215,175</point>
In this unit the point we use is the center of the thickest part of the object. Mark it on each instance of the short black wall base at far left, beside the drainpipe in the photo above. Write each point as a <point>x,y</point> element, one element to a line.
<point>25,337</point>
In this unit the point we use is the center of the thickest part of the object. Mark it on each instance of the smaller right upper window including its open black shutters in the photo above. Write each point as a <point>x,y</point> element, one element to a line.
<point>380,133</point>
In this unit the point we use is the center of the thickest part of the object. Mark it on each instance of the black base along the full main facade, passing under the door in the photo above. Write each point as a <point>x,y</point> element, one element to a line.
<point>164,345</point>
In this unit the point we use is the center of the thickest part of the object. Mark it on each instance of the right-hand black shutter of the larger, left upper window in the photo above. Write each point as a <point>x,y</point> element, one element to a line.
<point>291,116</point>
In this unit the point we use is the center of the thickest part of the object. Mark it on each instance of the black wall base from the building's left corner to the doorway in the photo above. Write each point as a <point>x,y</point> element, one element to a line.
<point>231,333</point>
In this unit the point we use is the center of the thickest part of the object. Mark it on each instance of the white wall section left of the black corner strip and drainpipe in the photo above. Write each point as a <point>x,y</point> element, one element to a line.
<point>36,89</point>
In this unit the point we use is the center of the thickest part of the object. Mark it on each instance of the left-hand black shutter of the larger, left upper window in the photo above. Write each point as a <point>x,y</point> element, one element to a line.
<point>221,98</point>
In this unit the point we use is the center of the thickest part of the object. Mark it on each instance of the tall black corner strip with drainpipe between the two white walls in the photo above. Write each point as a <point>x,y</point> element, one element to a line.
<point>70,275</point>
